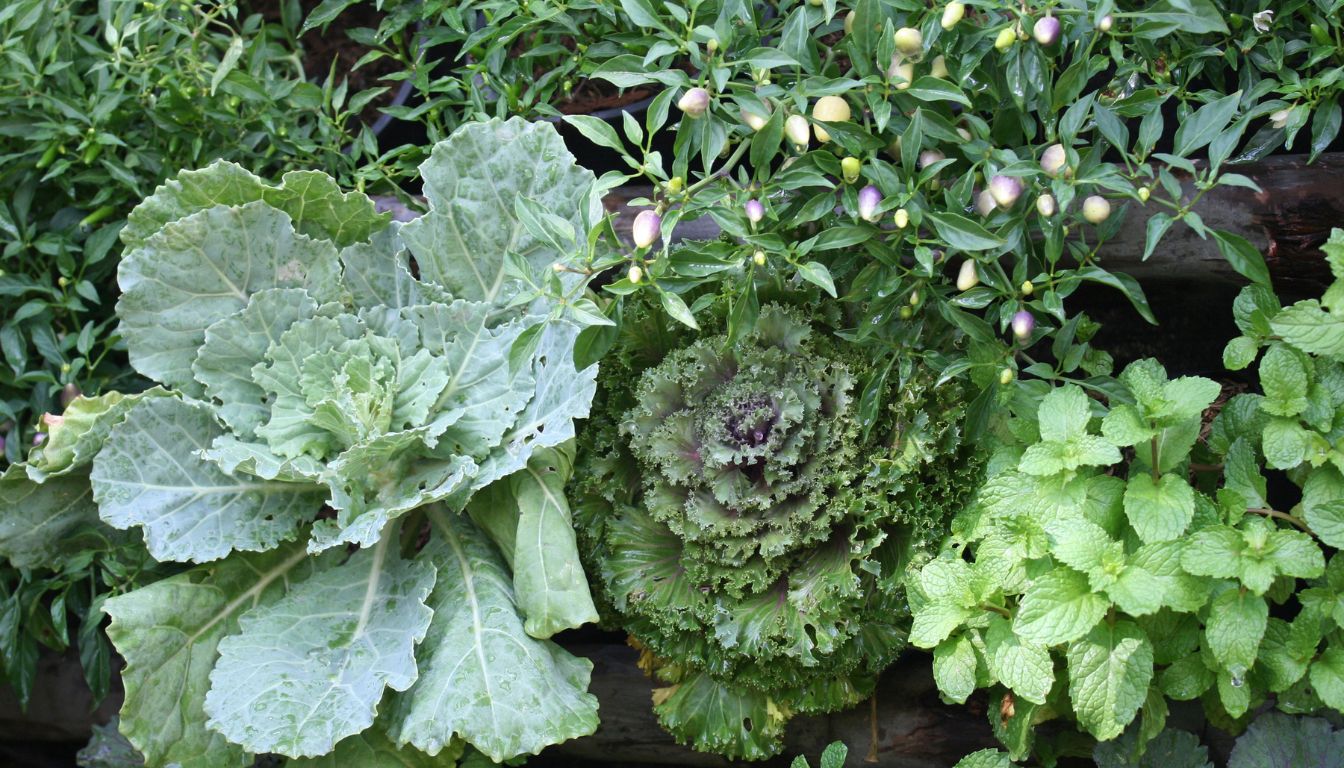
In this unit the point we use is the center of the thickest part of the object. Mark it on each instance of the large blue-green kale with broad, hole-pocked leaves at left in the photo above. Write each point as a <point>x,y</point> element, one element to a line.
<point>333,381</point>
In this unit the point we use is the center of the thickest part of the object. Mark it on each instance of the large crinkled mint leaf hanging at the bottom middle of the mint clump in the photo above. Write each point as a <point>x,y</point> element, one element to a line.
<point>1109,672</point>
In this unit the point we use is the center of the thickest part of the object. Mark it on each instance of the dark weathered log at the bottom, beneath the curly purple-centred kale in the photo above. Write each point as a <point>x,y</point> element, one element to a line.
<point>915,728</point>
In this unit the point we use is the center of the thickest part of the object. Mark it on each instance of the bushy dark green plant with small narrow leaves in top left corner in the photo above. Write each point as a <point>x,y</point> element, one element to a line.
<point>103,102</point>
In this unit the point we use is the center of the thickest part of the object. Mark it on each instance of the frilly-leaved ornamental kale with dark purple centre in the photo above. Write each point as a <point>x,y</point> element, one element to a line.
<point>745,529</point>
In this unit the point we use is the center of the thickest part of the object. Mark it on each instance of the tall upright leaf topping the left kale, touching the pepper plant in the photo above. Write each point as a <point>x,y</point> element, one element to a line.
<point>472,182</point>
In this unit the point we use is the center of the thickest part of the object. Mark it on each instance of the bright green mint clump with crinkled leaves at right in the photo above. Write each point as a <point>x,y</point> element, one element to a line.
<point>1093,584</point>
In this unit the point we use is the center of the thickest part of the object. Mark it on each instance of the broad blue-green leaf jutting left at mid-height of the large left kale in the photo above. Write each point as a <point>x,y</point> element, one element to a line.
<point>150,475</point>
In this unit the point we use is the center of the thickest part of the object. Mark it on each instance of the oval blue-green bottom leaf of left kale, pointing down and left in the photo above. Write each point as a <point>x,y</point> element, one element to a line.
<point>310,669</point>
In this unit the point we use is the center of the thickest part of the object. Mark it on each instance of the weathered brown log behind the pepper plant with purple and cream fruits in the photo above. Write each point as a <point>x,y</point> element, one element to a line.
<point>1288,223</point>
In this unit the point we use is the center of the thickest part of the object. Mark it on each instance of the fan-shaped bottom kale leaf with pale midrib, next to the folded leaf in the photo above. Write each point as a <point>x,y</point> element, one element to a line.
<point>483,679</point>
